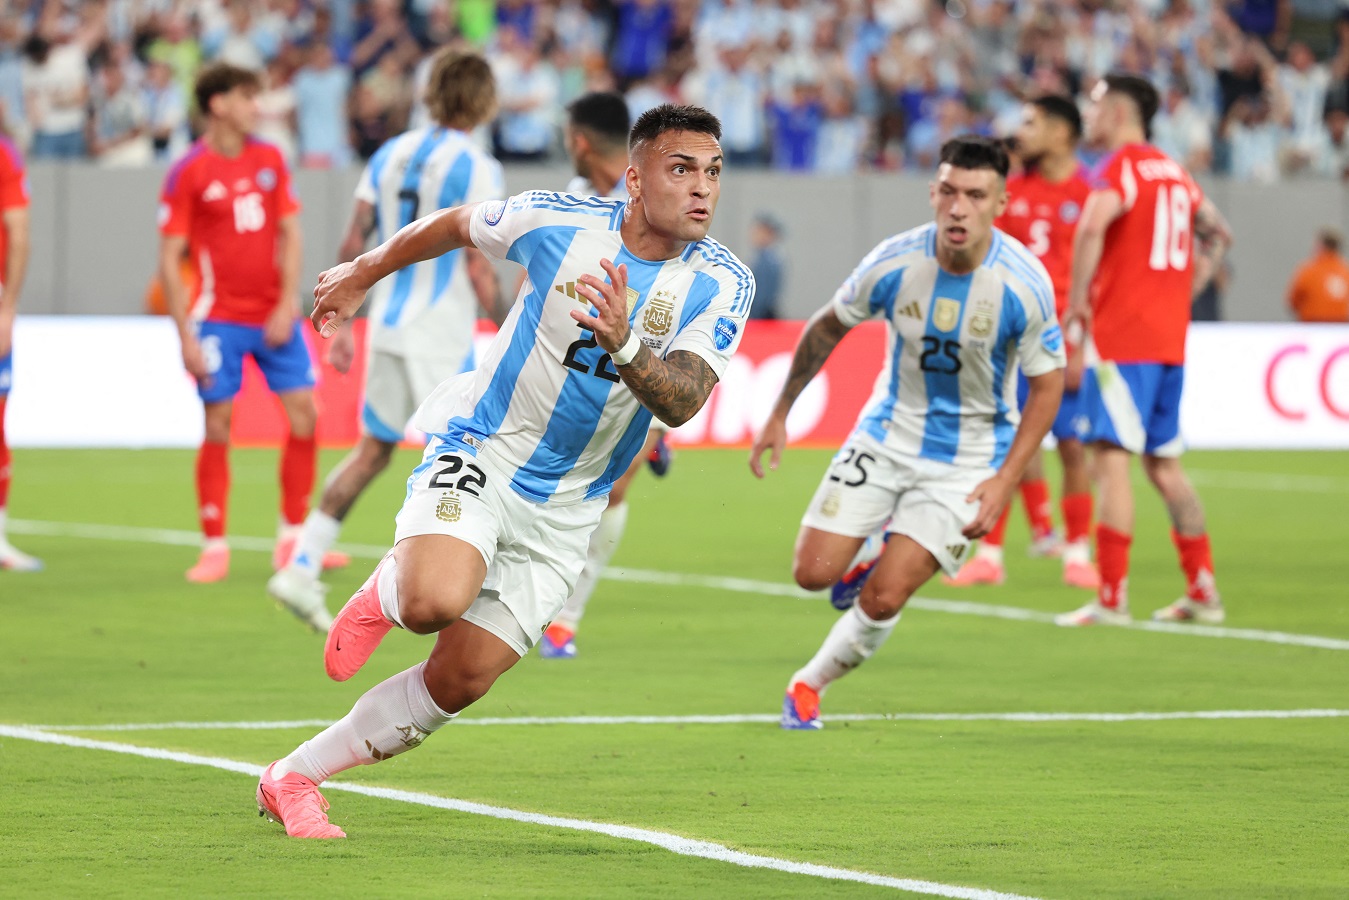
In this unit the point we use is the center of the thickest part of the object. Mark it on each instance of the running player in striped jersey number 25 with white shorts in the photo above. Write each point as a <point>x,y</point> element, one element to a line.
<point>938,450</point>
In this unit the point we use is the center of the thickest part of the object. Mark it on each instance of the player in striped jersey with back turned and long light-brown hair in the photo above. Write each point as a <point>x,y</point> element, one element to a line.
<point>422,322</point>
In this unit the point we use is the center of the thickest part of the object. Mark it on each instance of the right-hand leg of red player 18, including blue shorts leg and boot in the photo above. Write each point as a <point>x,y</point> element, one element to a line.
<point>1189,531</point>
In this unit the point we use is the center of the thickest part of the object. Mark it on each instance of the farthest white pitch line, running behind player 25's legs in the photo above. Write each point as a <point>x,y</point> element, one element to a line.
<point>683,580</point>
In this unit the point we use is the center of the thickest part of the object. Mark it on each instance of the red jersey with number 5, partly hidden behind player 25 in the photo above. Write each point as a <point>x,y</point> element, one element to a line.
<point>1043,215</point>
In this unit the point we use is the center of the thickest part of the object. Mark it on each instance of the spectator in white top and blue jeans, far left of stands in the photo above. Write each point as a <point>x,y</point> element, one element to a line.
<point>56,87</point>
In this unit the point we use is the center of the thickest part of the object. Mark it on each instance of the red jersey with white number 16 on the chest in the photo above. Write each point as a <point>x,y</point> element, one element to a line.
<point>230,208</point>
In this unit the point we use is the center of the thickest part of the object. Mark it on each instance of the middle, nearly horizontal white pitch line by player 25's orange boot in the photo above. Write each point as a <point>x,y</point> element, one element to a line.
<point>749,719</point>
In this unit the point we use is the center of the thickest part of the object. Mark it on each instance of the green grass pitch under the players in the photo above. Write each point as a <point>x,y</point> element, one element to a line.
<point>111,635</point>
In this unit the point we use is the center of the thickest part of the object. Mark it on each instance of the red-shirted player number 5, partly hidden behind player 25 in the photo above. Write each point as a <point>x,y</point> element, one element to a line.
<point>1045,204</point>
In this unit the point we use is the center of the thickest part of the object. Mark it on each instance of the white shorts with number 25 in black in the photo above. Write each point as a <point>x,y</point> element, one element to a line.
<point>922,499</point>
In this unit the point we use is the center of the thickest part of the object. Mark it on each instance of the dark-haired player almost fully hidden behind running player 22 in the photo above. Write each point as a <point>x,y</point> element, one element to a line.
<point>597,141</point>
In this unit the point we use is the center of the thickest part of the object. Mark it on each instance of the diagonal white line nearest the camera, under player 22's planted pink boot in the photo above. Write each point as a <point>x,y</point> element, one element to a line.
<point>672,843</point>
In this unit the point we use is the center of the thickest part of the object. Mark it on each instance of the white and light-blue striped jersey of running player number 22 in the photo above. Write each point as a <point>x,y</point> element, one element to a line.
<point>546,407</point>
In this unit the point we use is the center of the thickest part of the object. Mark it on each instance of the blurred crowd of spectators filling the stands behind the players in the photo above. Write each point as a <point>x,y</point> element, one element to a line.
<point>1255,90</point>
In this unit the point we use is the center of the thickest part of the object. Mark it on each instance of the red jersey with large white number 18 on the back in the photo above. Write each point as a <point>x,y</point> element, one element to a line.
<point>1142,292</point>
